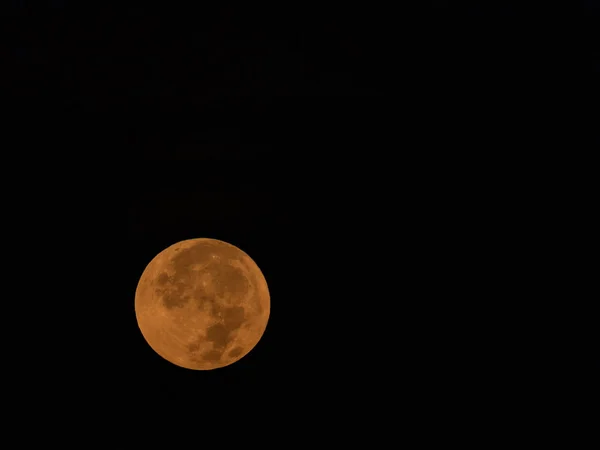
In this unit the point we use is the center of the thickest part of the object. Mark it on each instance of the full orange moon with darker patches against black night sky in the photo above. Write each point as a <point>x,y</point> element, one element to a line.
<point>202,304</point>
